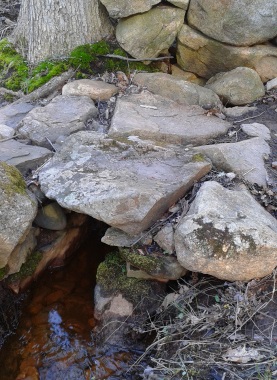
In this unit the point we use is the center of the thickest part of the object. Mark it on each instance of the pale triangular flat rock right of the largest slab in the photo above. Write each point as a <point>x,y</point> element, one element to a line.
<point>245,158</point>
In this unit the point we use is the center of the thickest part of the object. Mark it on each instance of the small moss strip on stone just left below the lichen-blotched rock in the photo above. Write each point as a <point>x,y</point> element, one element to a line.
<point>147,263</point>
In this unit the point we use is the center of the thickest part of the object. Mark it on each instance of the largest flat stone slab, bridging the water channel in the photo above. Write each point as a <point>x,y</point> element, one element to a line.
<point>126,186</point>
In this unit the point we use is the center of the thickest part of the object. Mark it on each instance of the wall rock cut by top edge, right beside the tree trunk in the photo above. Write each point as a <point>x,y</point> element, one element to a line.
<point>125,8</point>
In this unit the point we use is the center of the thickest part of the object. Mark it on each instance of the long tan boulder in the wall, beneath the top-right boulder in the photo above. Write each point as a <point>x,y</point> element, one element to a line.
<point>206,57</point>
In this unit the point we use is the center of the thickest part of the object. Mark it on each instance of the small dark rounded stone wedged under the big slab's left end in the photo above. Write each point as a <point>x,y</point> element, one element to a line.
<point>51,217</point>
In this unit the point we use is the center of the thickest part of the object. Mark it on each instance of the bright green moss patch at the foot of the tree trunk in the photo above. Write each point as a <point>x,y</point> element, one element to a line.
<point>16,74</point>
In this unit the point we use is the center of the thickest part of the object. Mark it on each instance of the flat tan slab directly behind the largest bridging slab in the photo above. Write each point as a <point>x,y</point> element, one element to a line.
<point>151,116</point>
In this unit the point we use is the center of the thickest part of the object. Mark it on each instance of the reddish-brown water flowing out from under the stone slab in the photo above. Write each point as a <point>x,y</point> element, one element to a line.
<point>54,337</point>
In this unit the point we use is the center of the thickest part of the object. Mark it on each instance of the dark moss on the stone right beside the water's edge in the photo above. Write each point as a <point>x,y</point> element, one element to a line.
<point>111,276</point>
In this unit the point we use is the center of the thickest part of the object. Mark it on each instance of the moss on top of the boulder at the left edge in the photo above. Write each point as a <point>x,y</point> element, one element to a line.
<point>14,183</point>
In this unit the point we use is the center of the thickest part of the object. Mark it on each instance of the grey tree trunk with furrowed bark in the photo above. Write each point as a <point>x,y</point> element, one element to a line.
<point>52,28</point>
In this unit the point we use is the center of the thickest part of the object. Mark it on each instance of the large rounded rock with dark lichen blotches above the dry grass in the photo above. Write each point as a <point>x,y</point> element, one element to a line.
<point>227,234</point>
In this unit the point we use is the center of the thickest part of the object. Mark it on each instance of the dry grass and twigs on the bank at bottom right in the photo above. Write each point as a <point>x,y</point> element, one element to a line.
<point>210,329</point>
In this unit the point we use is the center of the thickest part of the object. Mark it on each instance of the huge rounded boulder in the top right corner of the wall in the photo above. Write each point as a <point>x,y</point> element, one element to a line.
<point>235,22</point>
